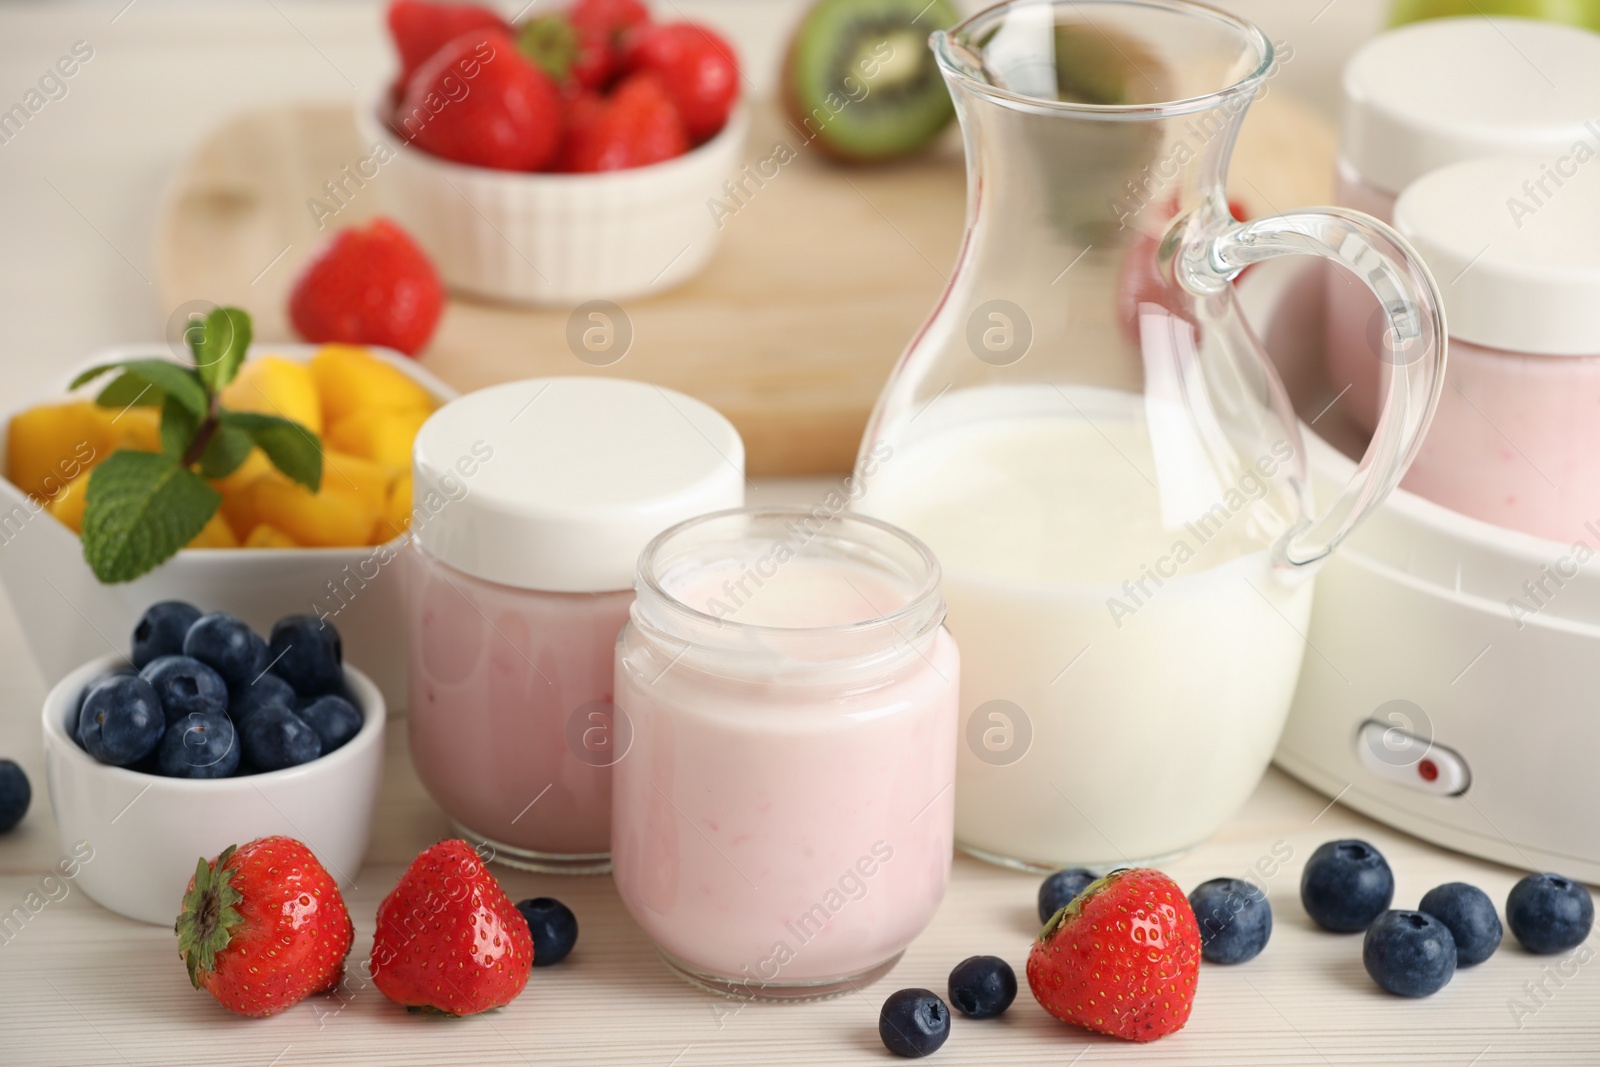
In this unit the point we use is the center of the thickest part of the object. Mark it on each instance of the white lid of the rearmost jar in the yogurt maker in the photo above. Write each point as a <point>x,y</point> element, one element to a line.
<point>1447,90</point>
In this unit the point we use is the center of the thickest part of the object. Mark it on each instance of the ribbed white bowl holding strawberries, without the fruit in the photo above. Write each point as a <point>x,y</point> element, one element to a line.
<point>561,239</point>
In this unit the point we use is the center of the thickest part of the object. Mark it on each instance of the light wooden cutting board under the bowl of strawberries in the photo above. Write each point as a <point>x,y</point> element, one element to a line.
<point>791,332</point>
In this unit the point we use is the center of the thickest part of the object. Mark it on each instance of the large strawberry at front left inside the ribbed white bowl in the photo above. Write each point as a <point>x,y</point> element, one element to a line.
<point>481,102</point>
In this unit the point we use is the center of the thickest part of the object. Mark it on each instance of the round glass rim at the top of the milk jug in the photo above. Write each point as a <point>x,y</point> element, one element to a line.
<point>942,46</point>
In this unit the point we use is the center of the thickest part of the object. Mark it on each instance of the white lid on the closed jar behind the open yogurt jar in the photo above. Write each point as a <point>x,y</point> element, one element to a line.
<point>558,484</point>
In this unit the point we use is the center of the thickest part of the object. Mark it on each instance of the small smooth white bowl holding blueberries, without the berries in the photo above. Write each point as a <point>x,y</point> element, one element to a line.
<point>142,834</point>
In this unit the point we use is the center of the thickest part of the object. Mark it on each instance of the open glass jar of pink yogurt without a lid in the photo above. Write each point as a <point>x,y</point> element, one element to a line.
<point>783,823</point>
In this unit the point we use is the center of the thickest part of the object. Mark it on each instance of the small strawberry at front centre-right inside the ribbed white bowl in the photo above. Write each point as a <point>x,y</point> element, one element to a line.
<point>633,127</point>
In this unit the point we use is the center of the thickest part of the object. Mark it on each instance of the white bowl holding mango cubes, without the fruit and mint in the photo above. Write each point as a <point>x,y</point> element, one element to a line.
<point>70,617</point>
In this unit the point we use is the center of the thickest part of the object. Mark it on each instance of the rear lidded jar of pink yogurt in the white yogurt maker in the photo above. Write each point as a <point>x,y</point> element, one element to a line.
<point>1436,94</point>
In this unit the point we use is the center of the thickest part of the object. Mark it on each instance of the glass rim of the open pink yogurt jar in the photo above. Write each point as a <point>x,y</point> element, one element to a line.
<point>918,602</point>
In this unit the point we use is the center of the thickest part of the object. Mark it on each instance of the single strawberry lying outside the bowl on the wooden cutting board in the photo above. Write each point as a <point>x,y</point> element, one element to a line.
<point>369,286</point>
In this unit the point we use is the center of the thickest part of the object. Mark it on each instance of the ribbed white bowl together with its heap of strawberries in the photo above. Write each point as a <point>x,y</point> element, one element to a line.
<point>566,159</point>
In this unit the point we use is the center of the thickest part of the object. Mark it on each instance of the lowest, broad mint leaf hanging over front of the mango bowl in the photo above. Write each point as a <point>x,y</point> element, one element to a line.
<point>142,510</point>
